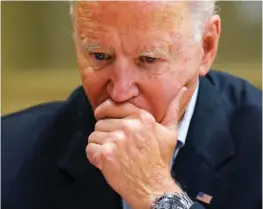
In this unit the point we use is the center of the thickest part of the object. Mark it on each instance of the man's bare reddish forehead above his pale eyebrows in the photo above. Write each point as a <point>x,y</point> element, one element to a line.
<point>138,19</point>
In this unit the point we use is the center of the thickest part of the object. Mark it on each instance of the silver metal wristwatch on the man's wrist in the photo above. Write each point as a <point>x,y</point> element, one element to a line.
<point>173,201</point>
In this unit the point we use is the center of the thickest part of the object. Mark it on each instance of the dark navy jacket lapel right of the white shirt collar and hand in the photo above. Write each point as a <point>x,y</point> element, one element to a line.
<point>207,147</point>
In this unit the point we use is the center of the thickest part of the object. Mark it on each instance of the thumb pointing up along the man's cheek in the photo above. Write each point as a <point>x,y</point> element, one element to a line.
<point>171,117</point>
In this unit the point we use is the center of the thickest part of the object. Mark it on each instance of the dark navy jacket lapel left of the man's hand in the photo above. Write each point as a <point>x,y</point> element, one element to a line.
<point>85,186</point>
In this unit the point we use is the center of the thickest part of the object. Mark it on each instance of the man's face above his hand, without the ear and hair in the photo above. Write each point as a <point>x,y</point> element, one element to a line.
<point>137,52</point>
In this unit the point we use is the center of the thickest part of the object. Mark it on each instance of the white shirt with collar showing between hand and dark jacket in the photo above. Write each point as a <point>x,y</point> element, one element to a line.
<point>183,127</point>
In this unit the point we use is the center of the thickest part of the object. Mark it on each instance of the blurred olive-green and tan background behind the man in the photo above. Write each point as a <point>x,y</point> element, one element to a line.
<point>39,62</point>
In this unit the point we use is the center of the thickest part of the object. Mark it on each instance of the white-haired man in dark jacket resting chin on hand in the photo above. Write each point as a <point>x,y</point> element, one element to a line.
<point>156,130</point>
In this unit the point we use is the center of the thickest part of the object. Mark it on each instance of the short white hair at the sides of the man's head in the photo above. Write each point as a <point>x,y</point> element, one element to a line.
<point>201,11</point>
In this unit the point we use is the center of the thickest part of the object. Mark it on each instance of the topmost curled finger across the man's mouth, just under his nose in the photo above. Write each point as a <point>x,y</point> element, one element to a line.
<point>110,109</point>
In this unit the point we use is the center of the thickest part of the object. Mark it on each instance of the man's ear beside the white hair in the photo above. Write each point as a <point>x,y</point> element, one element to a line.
<point>210,41</point>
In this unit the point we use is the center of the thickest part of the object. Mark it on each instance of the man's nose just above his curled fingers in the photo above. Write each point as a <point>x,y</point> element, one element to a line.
<point>122,86</point>
